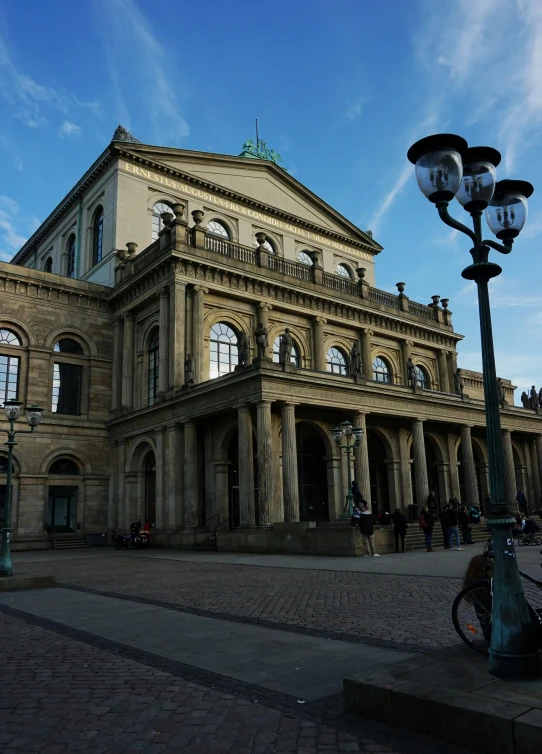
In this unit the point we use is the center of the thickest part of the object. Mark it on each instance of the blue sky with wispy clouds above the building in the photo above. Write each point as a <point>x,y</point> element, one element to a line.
<point>341,89</point>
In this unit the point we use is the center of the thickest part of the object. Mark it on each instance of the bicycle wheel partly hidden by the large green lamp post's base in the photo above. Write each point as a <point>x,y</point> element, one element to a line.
<point>471,615</point>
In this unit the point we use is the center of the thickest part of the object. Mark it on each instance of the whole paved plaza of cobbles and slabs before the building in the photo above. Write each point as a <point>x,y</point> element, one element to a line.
<point>209,653</point>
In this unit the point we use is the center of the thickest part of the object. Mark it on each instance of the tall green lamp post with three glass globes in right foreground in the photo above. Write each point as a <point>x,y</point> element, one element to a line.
<point>447,167</point>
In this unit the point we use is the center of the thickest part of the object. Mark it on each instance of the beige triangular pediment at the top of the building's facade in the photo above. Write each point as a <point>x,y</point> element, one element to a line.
<point>258,181</point>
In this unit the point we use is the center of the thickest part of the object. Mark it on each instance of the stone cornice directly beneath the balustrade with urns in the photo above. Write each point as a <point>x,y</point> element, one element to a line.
<point>257,283</point>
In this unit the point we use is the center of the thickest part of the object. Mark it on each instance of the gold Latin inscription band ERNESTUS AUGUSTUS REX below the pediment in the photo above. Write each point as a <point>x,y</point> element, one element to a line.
<point>240,210</point>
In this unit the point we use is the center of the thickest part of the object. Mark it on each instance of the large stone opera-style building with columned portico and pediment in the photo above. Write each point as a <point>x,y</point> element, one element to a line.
<point>156,271</point>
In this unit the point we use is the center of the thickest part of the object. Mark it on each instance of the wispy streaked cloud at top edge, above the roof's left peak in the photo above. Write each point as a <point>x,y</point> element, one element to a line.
<point>151,69</point>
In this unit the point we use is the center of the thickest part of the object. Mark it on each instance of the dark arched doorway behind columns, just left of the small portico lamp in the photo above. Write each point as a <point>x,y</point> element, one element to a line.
<point>311,474</point>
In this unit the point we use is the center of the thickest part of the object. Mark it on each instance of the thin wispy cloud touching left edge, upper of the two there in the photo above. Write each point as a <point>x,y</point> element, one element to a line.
<point>28,100</point>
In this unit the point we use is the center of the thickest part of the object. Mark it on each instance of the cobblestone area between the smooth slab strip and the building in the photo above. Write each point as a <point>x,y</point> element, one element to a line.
<point>404,612</point>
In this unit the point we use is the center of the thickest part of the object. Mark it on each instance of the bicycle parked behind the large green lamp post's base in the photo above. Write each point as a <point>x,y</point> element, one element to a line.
<point>471,609</point>
